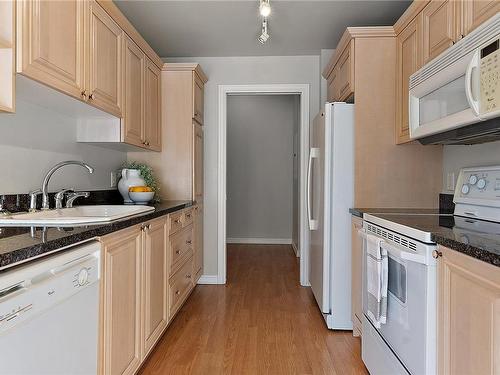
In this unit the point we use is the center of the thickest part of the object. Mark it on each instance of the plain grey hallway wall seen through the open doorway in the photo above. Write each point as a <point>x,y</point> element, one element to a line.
<point>260,131</point>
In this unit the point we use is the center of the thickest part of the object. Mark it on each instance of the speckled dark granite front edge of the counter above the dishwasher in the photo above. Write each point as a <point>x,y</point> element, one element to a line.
<point>21,255</point>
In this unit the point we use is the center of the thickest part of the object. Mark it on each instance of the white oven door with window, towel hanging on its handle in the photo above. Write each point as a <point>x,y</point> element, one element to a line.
<point>410,322</point>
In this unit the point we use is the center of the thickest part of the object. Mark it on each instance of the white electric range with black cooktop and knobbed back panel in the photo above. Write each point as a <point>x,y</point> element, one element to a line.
<point>406,344</point>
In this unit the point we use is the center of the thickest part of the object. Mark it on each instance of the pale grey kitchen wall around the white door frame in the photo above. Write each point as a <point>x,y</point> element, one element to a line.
<point>242,70</point>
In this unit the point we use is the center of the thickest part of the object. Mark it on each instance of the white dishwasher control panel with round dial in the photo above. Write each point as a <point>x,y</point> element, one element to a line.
<point>39,291</point>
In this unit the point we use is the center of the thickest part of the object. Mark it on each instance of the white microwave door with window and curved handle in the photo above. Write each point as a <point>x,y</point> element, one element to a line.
<point>446,99</point>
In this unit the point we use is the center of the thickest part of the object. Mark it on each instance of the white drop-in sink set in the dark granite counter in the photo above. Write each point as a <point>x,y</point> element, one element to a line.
<point>74,216</point>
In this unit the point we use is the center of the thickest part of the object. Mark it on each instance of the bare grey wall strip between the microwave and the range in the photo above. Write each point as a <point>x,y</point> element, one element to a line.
<point>456,157</point>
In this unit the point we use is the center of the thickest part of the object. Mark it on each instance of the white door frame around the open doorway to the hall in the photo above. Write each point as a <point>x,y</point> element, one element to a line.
<point>277,89</point>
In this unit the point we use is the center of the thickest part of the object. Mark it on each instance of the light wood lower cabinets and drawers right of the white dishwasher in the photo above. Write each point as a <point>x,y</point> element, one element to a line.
<point>140,293</point>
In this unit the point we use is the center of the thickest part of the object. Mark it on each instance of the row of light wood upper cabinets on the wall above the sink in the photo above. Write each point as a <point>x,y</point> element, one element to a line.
<point>89,50</point>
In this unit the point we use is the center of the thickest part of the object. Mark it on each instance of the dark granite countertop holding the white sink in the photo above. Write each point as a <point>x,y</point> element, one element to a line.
<point>20,244</point>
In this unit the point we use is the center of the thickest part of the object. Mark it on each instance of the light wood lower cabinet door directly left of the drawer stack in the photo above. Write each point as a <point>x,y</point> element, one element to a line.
<point>155,281</point>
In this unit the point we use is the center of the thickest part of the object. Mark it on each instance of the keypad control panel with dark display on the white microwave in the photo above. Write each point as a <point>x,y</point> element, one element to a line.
<point>490,77</point>
